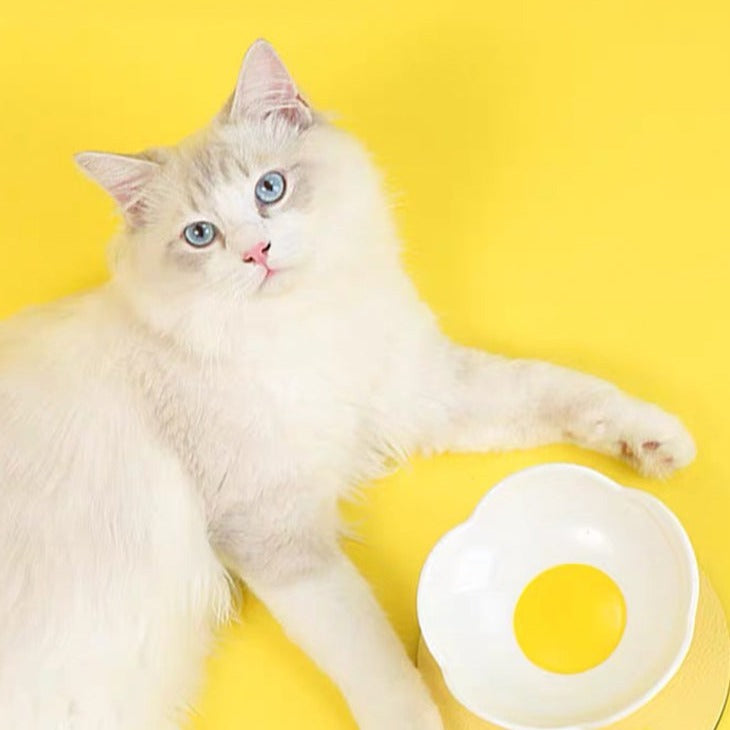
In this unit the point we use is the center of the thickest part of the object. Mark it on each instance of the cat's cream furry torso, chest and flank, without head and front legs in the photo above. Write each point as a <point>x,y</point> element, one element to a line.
<point>165,446</point>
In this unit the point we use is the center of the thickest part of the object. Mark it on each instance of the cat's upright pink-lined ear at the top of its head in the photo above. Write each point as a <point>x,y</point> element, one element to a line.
<point>265,87</point>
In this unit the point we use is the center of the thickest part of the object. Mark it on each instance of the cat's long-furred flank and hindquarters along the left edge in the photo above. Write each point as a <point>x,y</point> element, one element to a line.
<point>110,587</point>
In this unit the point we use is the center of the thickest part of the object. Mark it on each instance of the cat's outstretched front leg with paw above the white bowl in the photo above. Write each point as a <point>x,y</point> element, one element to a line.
<point>479,401</point>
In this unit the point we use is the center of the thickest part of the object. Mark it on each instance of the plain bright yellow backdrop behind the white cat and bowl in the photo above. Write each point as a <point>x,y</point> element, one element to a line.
<point>563,171</point>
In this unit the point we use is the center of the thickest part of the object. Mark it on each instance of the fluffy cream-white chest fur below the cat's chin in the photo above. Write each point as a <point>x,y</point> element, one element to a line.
<point>300,405</point>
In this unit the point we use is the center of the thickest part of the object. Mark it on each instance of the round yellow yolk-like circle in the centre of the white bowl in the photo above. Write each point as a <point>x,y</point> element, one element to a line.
<point>570,618</point>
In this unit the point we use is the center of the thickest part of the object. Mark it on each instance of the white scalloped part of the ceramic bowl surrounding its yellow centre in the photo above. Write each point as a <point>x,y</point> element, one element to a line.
<point>534,520</point>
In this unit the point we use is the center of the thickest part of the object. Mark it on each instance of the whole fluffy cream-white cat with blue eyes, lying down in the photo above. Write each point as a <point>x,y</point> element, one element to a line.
<point>257,351</point>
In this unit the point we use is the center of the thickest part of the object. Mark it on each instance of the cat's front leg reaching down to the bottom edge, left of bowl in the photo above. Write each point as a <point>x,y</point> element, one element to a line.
<point>327,608</point>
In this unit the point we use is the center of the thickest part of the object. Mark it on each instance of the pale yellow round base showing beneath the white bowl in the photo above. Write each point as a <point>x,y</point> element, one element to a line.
<point>693,699</point>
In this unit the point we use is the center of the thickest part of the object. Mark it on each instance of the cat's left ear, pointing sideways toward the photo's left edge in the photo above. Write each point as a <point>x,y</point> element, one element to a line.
<point>124,177</point>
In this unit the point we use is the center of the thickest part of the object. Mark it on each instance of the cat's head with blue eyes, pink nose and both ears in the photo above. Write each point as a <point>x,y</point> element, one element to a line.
<point>269,198</point>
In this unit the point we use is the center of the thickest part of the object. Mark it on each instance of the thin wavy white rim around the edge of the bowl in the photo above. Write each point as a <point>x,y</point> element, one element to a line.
<point>638,494</point>
